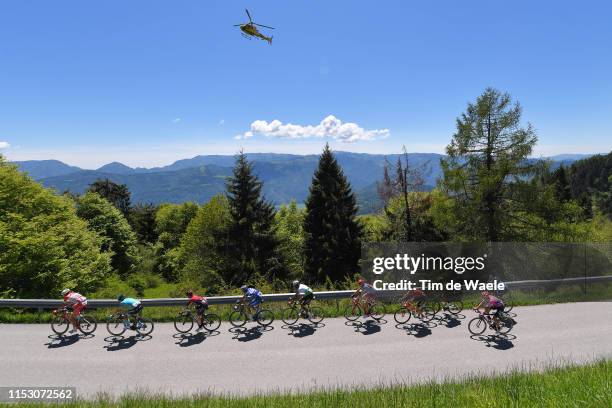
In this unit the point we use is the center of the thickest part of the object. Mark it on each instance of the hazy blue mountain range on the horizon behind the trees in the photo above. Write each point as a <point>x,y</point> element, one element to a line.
<point>285,177</point>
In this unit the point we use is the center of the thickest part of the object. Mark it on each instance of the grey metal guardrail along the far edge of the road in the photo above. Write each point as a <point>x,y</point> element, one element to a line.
<point>41,304</point>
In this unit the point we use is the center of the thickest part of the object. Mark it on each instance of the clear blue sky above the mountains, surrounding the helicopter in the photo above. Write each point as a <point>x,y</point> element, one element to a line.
<point>149,82</point>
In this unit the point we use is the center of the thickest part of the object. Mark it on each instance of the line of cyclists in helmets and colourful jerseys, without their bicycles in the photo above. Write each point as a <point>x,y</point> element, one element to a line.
<point>365,295</point>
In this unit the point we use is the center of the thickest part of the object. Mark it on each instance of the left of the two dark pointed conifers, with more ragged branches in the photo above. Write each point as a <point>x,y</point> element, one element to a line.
<point>252,245</point>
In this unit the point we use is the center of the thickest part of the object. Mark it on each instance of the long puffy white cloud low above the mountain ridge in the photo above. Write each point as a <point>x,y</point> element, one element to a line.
<point>331,127</point>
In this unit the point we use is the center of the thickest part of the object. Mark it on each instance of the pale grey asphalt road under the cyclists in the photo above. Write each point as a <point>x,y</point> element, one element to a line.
<point>281,359</point>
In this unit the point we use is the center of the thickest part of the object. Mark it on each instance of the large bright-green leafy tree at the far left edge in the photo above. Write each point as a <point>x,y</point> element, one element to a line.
<point>44,246</point>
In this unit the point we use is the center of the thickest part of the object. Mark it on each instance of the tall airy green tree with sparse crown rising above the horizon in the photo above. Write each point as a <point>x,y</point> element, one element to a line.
<point>486,166</point>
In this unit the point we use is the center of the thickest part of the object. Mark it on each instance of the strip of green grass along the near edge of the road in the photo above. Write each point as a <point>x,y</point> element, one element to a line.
<point>576,386</point>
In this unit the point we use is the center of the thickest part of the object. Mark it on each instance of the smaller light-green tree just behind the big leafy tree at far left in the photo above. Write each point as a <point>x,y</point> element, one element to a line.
<point>117,235</point>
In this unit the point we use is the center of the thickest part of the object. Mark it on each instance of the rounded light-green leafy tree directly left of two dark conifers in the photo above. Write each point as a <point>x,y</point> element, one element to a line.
<point>203,249</point>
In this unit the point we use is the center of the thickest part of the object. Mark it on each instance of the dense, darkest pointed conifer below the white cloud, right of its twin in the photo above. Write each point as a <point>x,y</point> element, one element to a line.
<point>332,245</point>
